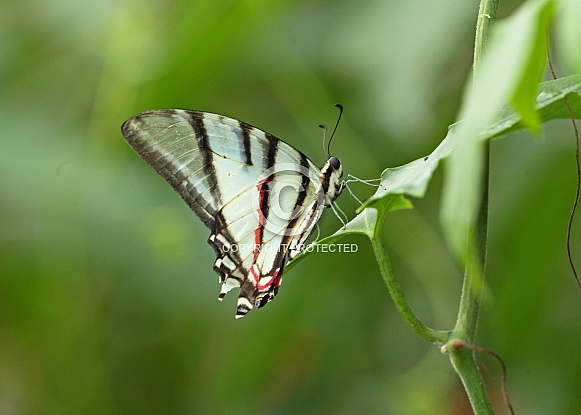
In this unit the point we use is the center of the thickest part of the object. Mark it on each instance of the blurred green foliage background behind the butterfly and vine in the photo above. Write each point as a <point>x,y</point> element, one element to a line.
<point>107,294</point>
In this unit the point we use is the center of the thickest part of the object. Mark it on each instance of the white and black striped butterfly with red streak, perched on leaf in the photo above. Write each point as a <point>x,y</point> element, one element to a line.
<point>260,197</point>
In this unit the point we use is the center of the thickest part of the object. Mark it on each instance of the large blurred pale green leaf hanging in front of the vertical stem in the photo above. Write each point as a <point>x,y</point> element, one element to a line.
<point>504,76</point>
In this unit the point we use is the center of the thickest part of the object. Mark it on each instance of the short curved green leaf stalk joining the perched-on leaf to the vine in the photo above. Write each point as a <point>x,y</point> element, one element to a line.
<point>417,326</point>
